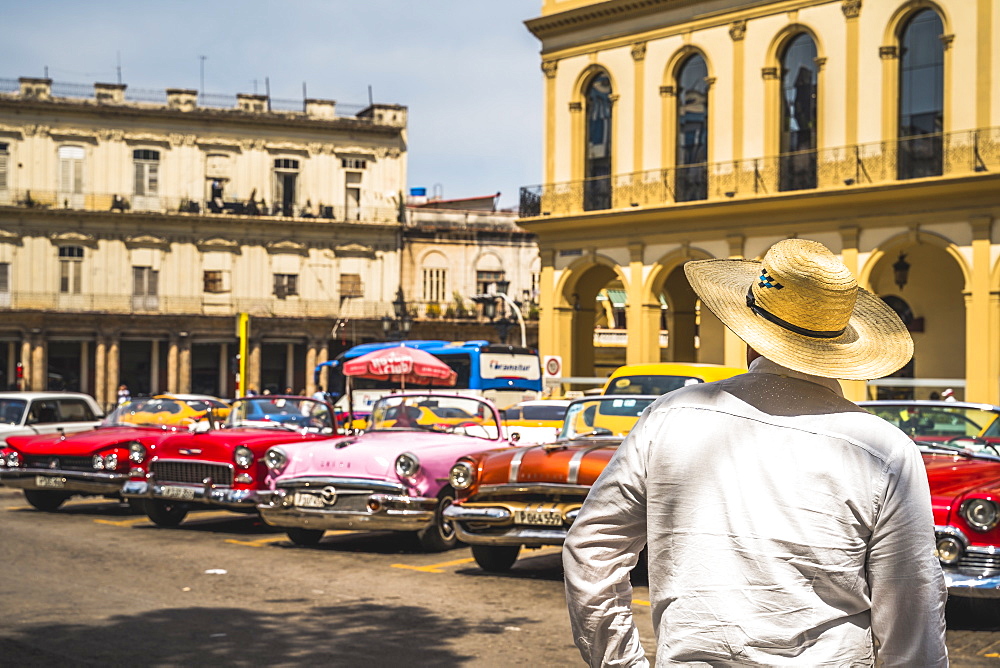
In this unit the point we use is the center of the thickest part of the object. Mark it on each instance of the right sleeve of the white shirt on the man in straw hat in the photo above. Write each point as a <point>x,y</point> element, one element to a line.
<point>908,591</point>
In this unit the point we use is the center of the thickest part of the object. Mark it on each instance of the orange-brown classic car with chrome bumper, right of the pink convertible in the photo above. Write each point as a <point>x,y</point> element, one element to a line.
<point>529,497</point>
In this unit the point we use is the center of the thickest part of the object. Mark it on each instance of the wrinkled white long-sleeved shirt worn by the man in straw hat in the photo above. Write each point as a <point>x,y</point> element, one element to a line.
<point>785,525</point>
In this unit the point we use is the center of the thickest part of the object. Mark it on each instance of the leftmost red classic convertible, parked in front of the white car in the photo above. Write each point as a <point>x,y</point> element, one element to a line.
<point>51,468</point>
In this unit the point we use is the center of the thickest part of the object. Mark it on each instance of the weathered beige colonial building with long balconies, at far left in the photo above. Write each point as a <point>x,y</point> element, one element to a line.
<point>132,234</point>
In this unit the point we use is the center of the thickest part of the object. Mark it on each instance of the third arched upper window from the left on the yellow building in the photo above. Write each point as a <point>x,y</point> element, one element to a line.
<point>798,114</point>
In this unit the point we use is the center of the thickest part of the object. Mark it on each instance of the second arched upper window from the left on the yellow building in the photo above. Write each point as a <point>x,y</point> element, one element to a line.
<point>692,130</point>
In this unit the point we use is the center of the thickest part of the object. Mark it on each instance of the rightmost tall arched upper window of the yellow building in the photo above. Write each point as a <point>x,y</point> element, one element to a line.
<point>921,96</point>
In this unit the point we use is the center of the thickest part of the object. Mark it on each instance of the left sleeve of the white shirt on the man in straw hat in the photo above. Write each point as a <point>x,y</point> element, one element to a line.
<point>602,547</point>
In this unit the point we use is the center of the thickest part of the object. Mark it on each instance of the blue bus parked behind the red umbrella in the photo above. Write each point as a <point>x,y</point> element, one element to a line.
<point>503,374</point>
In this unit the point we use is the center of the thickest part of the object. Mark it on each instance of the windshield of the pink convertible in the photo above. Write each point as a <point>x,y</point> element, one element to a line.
<point>430,412</point>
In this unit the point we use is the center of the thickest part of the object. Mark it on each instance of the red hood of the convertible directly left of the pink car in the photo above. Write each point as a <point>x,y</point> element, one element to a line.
<point>218,445</point>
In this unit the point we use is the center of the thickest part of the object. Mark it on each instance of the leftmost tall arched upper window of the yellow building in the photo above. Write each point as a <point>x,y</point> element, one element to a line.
<point>597,161</point>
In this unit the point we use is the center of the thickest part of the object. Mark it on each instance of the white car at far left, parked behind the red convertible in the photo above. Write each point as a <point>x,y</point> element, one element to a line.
<point>33,413</point>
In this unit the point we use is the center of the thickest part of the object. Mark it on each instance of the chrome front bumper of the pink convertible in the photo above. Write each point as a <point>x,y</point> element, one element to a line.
<point>392,512</point>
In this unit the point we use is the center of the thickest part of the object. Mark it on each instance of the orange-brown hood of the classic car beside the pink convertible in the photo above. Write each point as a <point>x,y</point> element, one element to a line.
<point>575,462</point>
